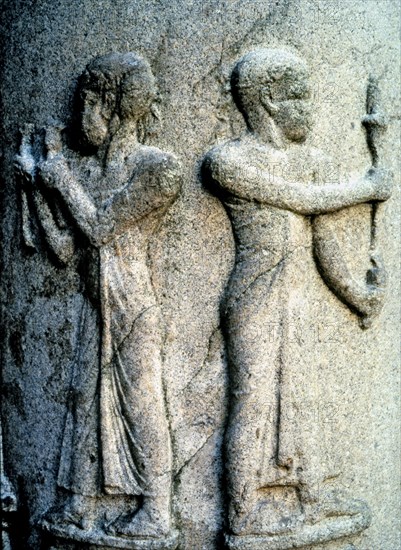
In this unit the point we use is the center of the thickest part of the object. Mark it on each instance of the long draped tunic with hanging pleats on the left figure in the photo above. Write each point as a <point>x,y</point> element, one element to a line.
<point>102,450</point>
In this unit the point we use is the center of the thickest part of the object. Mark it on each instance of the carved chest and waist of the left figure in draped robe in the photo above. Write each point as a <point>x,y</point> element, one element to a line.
<point>121,262</point>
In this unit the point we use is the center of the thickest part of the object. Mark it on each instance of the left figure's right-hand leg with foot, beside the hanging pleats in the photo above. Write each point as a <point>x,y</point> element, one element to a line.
<point>140,391</point>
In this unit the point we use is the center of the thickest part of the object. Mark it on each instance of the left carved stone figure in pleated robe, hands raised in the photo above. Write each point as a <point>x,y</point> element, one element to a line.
<point>102,204</point>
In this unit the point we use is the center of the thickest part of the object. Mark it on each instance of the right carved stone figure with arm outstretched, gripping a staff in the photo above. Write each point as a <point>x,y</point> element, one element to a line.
<point>266,180</point>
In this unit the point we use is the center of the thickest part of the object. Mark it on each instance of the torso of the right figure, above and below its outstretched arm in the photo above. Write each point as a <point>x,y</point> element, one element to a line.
<point>264,235</point>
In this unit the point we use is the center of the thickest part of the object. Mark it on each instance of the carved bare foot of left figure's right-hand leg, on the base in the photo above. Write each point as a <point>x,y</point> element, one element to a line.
<point>148,521</point>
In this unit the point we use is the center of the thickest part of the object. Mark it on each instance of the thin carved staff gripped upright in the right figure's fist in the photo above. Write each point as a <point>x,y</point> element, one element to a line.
<point>375,123</point>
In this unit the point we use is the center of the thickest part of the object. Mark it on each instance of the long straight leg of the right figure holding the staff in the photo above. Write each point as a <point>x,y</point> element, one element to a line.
<point>253,343</point>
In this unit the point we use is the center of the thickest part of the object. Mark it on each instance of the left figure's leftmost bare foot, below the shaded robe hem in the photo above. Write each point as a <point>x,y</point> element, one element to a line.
<point>75,512</point>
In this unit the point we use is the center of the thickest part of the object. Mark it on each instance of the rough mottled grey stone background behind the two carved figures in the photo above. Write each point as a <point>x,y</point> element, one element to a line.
<point>349,403</point>
